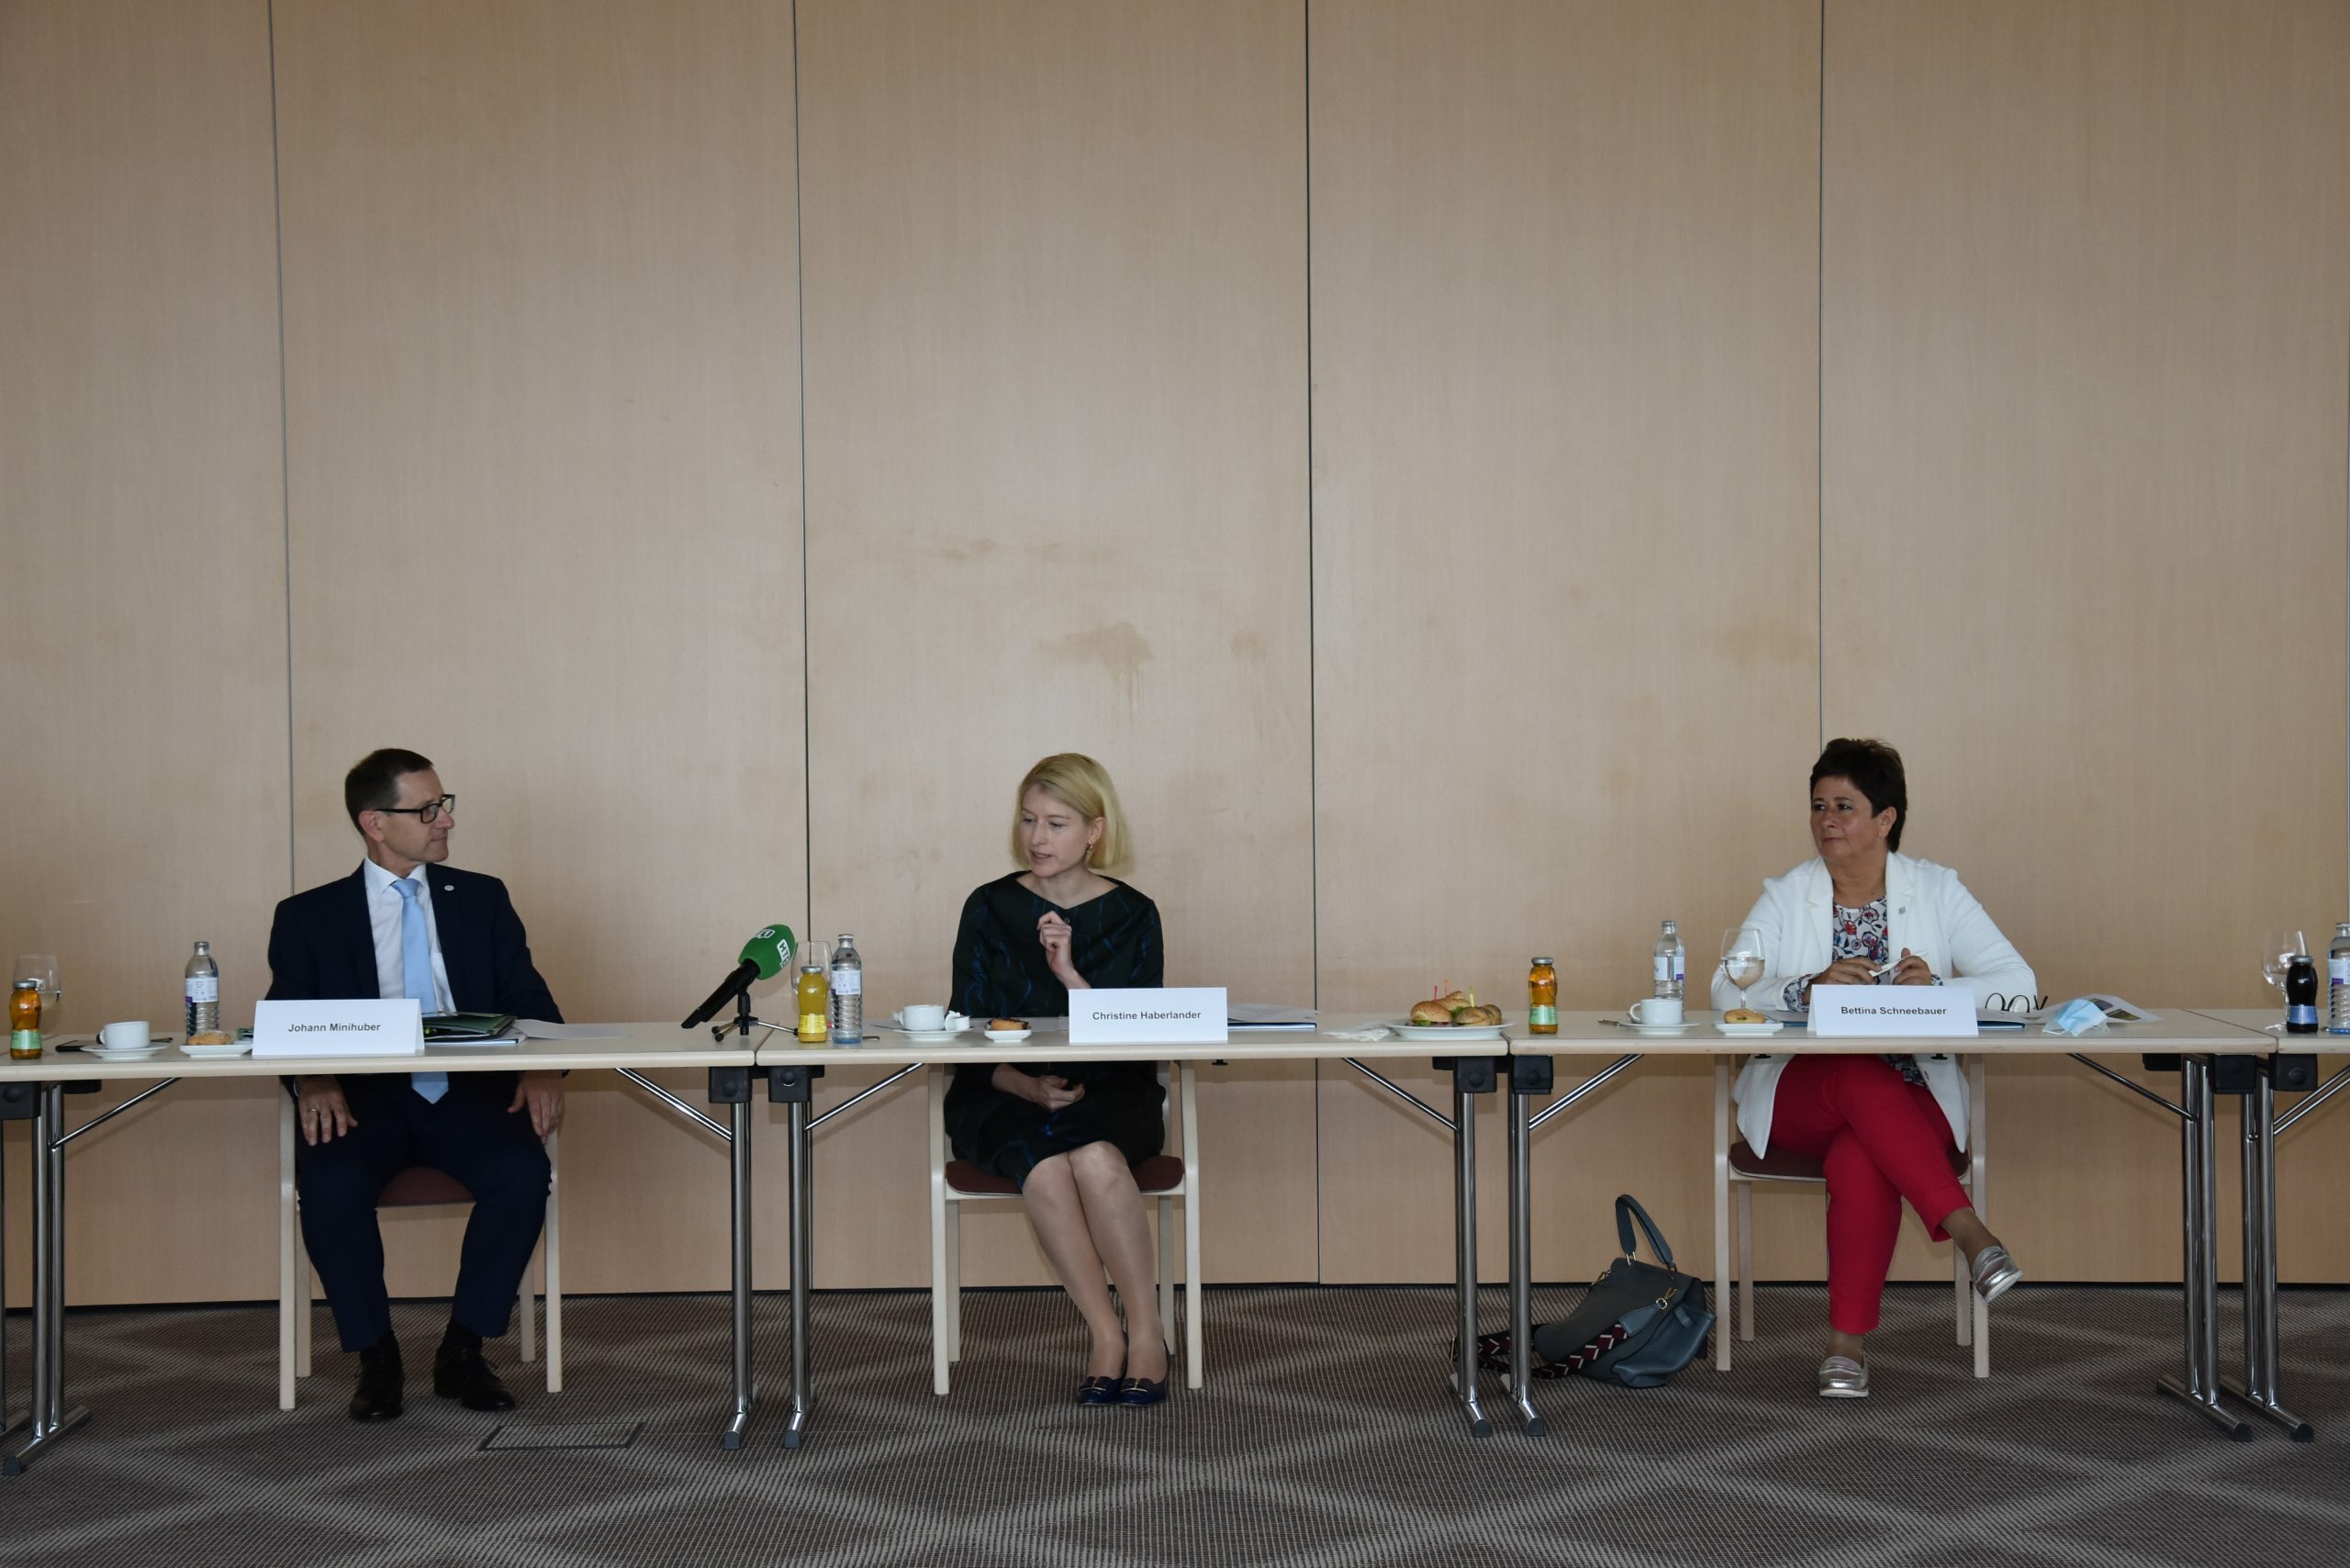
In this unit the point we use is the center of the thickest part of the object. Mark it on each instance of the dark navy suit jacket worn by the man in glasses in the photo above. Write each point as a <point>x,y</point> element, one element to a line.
<point>323,949</point>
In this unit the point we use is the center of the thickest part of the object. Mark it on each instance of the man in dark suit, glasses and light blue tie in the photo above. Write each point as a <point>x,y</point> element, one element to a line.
<point>405,925</point>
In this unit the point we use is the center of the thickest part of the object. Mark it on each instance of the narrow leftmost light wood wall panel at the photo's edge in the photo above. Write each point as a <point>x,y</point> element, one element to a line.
<point>145,629</point>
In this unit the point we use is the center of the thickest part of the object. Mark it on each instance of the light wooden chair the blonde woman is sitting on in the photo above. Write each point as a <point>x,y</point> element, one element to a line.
<point>955,1184</point>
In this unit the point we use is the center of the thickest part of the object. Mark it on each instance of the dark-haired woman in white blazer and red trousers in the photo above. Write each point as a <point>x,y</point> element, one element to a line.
<point>1881,1125</point>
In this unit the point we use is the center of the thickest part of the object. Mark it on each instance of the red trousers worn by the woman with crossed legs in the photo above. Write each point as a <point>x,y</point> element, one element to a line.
<point>1881,1139</point>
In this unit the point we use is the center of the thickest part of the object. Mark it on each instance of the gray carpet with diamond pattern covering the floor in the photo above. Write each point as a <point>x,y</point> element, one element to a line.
<point>1324,1438</point>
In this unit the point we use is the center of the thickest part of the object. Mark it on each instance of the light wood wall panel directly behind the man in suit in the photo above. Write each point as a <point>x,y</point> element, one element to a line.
<point>544,460</point>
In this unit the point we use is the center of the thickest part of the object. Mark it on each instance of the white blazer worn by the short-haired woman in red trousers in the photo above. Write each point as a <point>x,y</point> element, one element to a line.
<point>1926,911</point>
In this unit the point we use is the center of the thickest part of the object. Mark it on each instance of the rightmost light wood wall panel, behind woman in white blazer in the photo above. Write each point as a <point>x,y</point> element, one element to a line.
<point>2086,340</point>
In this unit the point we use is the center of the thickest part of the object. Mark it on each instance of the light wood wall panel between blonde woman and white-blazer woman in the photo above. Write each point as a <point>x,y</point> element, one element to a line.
<point>1564,516</point>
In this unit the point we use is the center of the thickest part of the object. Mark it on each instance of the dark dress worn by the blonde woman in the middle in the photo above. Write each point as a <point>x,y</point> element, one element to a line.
<point>1000,972</point>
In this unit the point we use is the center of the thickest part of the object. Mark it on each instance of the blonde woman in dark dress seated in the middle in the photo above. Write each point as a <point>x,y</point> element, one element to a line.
<point>1070,1132</point>
